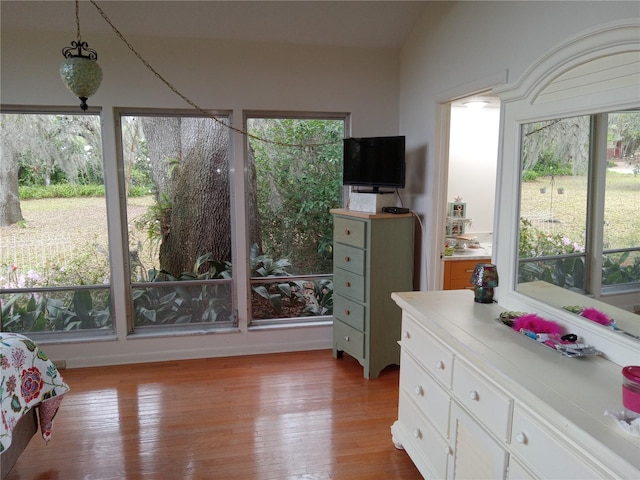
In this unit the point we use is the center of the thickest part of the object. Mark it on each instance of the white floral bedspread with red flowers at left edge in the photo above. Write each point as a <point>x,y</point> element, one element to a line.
<point>29,380</point>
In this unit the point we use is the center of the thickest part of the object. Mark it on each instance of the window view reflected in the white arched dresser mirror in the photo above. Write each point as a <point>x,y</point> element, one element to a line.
<point>579,203</point>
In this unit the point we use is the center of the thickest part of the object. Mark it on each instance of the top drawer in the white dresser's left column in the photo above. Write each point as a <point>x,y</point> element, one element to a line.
<point>433,355</point>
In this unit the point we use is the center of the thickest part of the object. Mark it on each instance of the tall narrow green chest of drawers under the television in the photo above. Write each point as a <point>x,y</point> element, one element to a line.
<point>372,257</point>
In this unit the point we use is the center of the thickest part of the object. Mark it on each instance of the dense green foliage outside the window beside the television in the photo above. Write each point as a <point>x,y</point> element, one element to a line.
<point>296,188</point>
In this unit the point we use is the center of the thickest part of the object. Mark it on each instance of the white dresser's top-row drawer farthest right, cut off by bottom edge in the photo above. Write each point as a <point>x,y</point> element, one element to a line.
<point>535,445</point>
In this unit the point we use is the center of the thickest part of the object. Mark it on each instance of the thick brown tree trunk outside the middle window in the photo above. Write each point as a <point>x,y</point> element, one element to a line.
<point>190,164</point>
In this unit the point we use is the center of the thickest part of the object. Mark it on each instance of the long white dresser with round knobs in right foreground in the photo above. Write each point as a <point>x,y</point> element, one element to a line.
<point>478,400</point>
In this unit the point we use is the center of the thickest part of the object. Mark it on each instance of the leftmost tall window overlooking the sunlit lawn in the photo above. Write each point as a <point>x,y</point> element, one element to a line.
<point>54,249</point>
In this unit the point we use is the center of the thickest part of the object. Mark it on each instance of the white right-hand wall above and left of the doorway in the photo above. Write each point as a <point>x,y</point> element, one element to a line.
<point>463,47</point>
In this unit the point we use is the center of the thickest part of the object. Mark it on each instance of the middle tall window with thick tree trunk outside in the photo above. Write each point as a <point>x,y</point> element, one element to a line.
<point>177,183</point>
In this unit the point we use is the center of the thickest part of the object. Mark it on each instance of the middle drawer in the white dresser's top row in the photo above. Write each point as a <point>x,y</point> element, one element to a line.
<point>483,398</point>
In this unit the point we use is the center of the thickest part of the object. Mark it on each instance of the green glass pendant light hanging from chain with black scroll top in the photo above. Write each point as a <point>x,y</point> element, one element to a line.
<point>80,71</point>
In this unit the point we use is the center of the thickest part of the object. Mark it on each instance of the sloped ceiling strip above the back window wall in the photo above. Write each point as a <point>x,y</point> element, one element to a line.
<point>375,24</point>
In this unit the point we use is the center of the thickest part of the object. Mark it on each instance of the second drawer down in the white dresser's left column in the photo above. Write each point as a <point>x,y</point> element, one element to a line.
<point>430,397</point>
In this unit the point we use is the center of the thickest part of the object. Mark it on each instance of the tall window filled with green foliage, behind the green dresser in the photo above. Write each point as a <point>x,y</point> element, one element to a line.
<point>293,180</point>
